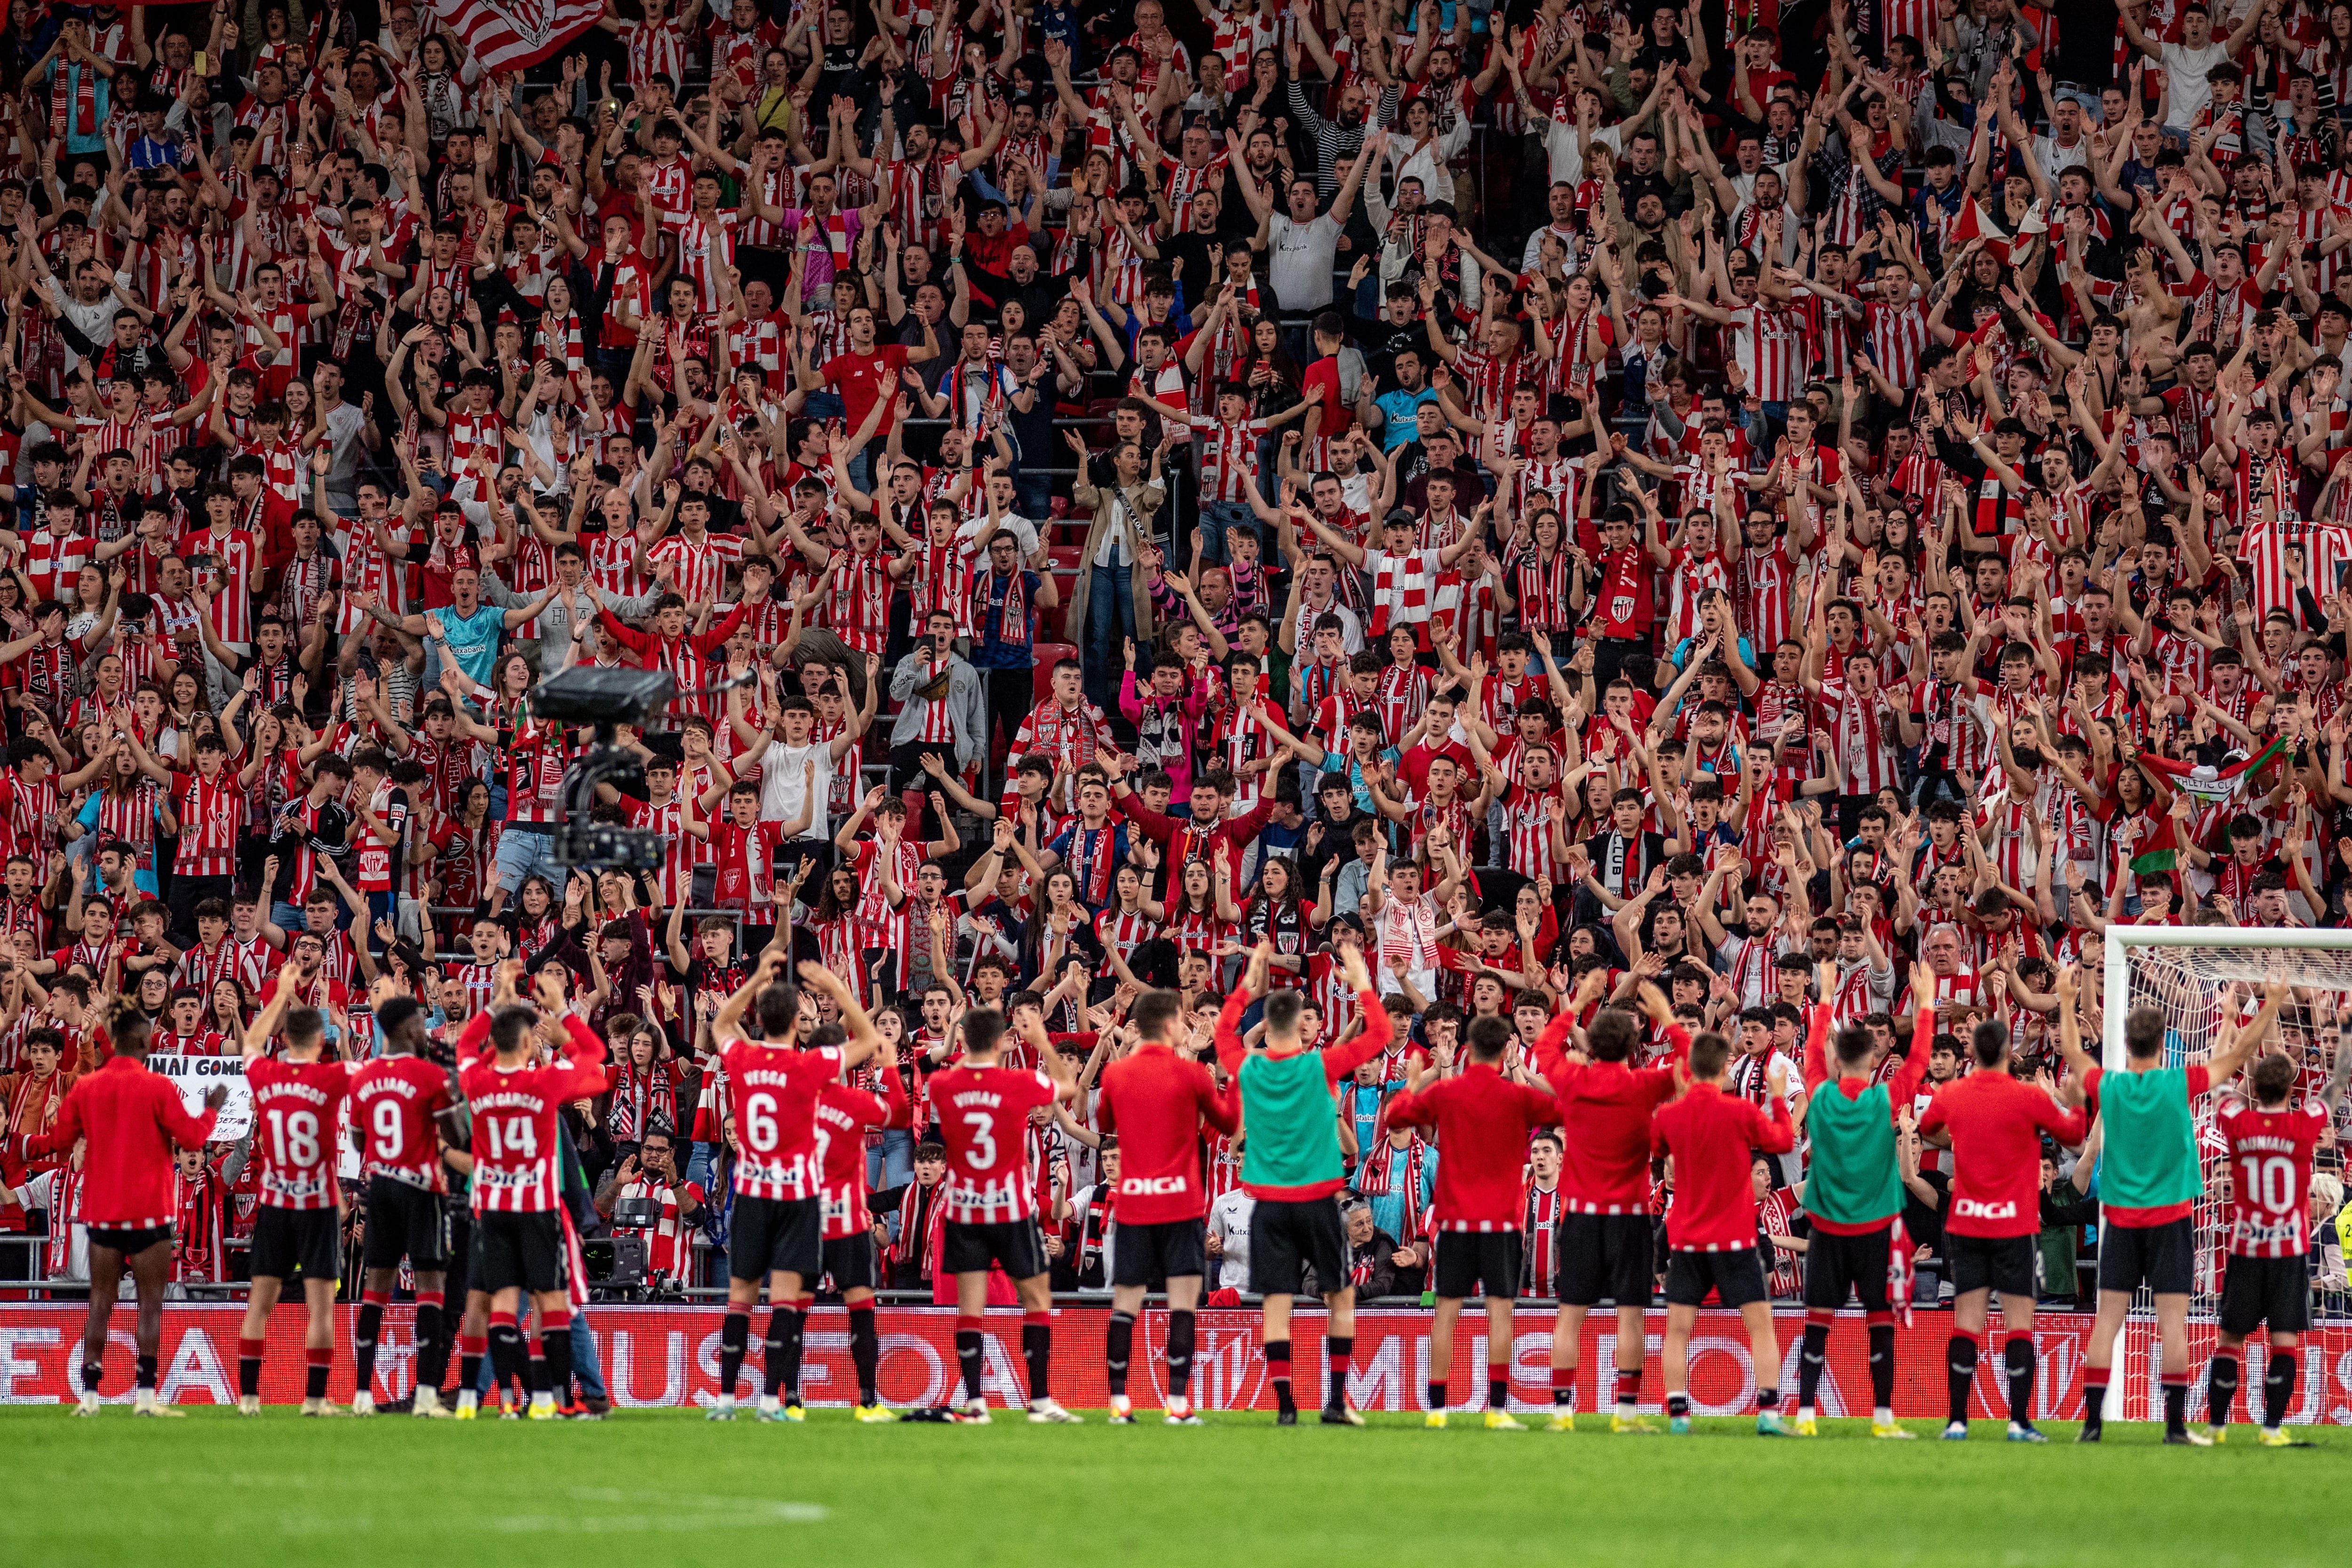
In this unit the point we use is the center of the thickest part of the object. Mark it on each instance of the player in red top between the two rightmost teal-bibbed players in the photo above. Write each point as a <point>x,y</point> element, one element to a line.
<point>1993,1125</point>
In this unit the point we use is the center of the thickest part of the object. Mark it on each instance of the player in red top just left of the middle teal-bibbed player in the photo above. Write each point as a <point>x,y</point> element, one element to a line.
<point>1711,1226</point>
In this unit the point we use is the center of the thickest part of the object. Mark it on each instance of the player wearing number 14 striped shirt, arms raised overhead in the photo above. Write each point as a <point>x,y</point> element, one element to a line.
<point>519,1231</point>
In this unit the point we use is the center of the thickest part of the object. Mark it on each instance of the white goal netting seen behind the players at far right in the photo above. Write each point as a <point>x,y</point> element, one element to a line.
<point>2207,979</point>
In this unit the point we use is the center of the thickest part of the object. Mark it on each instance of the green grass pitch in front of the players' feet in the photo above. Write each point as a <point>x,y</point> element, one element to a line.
<point>676,1489</point>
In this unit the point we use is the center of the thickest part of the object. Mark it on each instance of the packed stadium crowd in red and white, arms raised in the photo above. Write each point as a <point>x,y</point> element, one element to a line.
<point>1123,483</point>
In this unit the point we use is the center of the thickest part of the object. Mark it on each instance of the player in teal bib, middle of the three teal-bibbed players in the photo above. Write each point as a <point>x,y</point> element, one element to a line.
<point>1855,1193</point>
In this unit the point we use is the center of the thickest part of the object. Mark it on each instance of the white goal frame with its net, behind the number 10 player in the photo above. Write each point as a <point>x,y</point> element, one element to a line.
<point>2186,970</point>
